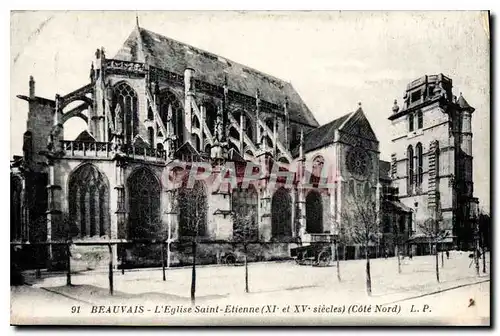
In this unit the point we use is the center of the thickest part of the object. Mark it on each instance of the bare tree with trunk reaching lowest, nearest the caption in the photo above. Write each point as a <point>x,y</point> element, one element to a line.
<point>192,207</point>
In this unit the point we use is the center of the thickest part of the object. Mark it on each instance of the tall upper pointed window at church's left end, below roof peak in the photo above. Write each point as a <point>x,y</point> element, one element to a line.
<point>125,104</point>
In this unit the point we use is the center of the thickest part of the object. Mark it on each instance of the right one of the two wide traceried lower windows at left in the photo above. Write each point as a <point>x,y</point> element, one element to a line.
<point>144,205</point>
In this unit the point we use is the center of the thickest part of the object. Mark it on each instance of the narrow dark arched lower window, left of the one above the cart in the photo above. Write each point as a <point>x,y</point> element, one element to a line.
<point>281,210</point>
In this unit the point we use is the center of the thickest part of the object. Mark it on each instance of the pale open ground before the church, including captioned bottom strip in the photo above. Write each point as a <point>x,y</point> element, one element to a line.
<point>278,284</point>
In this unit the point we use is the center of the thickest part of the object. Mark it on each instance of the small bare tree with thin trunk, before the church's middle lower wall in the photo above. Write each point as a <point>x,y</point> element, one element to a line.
<point>245,230</point>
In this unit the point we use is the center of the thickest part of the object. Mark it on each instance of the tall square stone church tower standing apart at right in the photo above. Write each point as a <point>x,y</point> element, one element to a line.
<point>432,156</point>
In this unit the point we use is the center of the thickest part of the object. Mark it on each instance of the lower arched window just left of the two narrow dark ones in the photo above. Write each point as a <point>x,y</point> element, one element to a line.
<point>244,204</point>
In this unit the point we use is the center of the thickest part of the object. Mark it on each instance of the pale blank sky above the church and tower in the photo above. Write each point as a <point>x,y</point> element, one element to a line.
<point>333,59</point>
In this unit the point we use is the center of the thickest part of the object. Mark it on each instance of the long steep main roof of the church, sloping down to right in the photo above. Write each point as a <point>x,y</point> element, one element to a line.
<point>174,56</point>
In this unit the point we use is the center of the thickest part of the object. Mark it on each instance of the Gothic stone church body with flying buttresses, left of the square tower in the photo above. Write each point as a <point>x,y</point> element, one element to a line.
<point>160,103</point>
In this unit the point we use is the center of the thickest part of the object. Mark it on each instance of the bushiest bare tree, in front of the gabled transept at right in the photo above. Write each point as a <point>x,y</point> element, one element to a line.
<point>362,226</point>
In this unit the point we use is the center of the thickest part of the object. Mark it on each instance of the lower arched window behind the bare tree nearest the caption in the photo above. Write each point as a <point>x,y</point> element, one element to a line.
<point>192,202</point>
